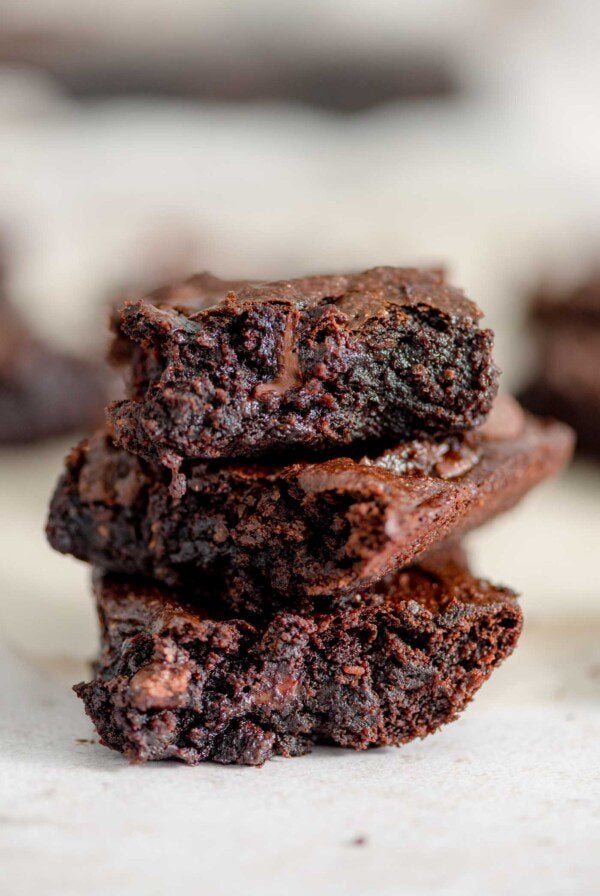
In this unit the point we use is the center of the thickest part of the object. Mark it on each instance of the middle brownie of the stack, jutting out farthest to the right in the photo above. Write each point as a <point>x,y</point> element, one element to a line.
<point>266,535</point>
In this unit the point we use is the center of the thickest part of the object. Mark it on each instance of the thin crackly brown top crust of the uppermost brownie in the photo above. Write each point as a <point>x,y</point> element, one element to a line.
<point>360,297</point>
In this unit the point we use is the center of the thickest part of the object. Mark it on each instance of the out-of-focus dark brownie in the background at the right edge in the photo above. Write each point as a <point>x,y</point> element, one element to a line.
<point>566,385</point>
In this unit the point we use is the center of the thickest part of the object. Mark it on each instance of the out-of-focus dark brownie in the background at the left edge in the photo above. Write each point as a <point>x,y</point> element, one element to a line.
<point>43,392</point>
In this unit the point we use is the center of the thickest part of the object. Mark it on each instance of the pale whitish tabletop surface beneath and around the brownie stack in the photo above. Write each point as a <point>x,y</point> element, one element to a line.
<point>503,801</point>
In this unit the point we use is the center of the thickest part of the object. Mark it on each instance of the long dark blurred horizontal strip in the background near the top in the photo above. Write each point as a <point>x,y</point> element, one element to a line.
<point>327,75</point>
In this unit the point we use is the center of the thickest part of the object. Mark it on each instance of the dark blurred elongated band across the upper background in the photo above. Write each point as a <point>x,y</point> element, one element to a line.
<point>348,81</point>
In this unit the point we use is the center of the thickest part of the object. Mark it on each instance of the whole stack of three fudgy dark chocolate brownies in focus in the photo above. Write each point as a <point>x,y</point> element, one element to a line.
<point>274,515</point>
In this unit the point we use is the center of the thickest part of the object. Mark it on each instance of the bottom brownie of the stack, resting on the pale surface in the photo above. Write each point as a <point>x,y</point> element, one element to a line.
<point>175,682</point>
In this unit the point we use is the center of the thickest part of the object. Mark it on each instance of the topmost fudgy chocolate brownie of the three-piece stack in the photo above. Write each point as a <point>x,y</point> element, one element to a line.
<point>233,369</point>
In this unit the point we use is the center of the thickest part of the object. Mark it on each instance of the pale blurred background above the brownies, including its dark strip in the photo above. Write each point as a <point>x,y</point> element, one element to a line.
<point>143,140</point>
